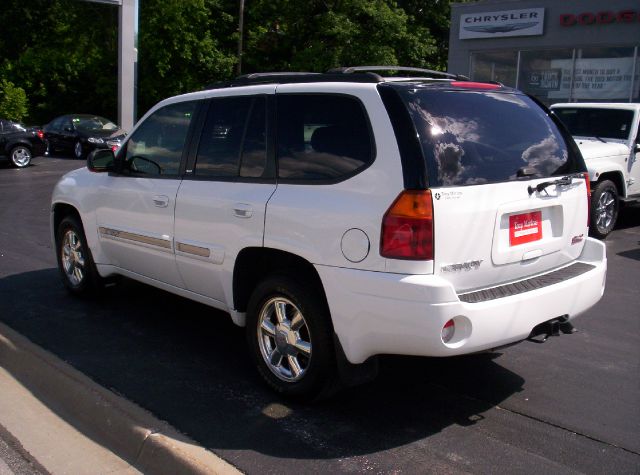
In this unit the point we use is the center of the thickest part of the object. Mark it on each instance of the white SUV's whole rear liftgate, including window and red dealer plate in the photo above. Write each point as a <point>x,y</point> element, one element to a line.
<point>483,153</point>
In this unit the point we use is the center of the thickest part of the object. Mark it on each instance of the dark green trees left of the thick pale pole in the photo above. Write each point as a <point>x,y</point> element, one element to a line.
<point>62,53</point>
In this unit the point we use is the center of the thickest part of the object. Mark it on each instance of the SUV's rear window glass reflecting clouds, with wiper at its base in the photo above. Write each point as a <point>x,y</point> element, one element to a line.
<point>477,137</point>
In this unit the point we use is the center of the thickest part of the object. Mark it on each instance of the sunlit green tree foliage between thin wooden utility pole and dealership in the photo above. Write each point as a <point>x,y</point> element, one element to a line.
<point>318,35</point>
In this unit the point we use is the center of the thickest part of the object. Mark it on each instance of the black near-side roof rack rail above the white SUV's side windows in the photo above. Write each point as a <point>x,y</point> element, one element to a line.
<point>293,77</point>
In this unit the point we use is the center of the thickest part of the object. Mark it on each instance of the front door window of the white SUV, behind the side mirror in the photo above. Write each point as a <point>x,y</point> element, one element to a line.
<point>155,148</point>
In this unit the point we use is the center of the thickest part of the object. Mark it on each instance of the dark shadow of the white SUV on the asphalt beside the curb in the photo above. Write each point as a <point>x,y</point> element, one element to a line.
<point>189,365</point>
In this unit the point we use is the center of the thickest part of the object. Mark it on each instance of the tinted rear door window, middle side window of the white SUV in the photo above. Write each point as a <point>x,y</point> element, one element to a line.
<point>233,141</point>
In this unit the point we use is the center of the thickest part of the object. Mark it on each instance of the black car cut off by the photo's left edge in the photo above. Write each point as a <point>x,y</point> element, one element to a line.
<point>20,143</point>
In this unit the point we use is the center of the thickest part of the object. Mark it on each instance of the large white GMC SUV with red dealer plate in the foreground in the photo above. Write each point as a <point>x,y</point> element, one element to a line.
<point>342,216</point>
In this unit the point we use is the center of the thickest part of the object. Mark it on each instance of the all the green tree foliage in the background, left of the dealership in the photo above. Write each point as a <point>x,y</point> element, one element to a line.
<point>63,53</point>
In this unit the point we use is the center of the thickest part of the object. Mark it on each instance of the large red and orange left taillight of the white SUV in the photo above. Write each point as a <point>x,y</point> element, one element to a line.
<point>407,227</point>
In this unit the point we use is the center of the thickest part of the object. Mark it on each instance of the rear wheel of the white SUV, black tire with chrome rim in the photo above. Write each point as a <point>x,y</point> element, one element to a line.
<point>290,338</point>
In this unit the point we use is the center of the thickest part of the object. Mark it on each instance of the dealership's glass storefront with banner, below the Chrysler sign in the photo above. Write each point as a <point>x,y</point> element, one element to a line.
<point>564,75</point>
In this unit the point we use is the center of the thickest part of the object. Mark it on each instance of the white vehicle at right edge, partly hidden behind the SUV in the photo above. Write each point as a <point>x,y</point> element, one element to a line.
<point>609,140</point>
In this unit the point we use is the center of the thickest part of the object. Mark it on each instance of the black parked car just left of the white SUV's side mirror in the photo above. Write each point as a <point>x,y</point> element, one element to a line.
<point>79,134</point>
